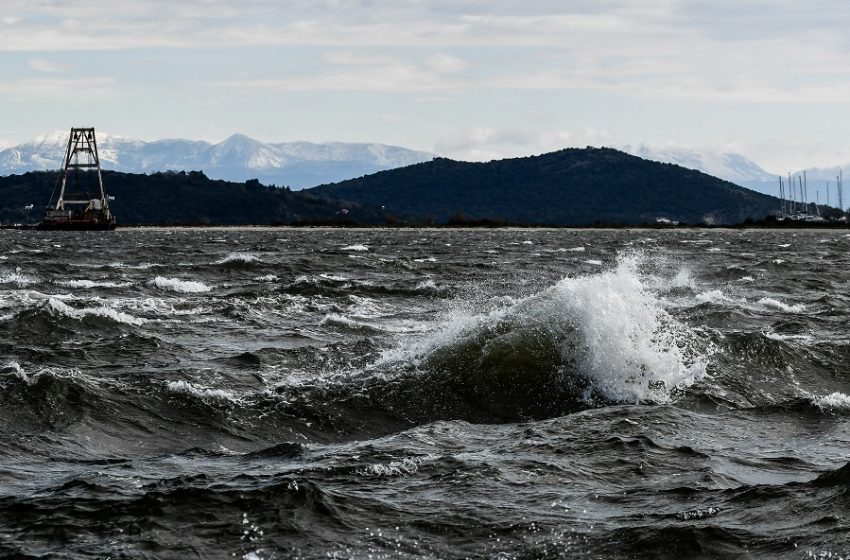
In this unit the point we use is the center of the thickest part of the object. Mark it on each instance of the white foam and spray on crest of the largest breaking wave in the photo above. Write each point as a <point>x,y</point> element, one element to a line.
<point>610,325</point>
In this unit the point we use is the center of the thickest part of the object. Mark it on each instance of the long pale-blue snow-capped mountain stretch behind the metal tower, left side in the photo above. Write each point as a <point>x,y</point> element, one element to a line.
<point>238,158</point>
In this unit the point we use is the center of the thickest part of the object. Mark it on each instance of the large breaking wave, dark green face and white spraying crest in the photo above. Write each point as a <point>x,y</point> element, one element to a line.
<point>600,336</point>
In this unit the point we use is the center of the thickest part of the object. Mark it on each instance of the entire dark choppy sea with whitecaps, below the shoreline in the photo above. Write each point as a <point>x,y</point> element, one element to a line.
<point>424,394</point>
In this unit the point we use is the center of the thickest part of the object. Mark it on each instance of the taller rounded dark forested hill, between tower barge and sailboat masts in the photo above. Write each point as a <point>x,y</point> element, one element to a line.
<point>567,187</point>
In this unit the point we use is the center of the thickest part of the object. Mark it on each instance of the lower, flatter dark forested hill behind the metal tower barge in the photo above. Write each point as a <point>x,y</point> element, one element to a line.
<point>184,198</point>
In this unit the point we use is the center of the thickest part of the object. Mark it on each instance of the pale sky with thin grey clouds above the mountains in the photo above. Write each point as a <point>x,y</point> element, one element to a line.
<point>468,79</point>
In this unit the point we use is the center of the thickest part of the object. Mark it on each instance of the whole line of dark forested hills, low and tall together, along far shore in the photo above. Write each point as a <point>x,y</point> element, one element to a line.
<point>568,187</point>
